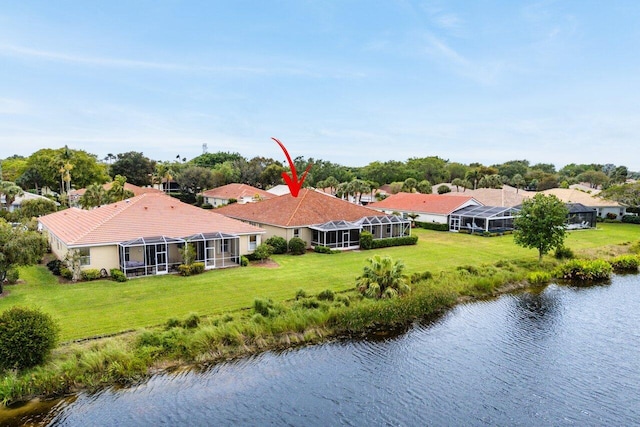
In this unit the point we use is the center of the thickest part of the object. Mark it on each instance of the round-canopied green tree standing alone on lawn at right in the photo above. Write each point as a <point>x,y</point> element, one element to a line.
<point>540,224</point>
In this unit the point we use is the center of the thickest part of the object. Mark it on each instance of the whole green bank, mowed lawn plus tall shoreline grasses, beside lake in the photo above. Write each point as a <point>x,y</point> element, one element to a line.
<point>227,326</point>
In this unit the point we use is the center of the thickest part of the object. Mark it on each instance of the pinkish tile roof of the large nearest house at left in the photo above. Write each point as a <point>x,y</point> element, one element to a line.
<point>147,215</point>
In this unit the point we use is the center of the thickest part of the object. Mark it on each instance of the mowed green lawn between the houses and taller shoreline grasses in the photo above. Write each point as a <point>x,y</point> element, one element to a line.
<point>104,307</point>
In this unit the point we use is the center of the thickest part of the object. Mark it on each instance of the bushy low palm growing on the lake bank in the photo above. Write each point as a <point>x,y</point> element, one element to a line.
<point>383,278</point>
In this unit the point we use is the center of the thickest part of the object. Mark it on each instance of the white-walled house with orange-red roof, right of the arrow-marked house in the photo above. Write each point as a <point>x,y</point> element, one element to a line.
<point>432,208</point>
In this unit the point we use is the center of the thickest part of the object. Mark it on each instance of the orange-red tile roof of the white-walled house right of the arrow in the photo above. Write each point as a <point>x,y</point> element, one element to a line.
<point>422,203</point>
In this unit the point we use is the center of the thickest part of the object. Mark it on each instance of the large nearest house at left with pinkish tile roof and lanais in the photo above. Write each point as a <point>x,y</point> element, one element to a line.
<point>143,235</point>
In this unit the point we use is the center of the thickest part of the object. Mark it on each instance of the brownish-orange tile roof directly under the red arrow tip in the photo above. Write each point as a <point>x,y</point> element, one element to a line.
<point>310,207</point>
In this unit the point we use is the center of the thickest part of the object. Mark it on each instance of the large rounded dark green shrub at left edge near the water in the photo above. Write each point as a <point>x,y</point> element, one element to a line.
<point>27,337</point>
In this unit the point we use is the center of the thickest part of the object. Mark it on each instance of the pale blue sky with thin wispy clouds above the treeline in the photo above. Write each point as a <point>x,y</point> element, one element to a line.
<point>346,81</point>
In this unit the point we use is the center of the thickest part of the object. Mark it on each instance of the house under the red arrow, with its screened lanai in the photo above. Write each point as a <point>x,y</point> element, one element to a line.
<point>318,219</point>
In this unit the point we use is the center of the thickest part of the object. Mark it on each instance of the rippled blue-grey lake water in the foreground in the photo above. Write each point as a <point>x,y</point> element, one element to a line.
<point>560,356</point>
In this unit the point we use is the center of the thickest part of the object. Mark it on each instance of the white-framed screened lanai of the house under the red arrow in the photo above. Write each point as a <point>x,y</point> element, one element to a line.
<point>346,234</point>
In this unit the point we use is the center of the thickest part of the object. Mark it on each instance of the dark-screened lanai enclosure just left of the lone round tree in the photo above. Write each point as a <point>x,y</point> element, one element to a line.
<point>480,219</point>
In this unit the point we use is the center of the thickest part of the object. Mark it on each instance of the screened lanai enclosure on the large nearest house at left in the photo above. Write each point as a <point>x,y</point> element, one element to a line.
<point>148,256</point>
